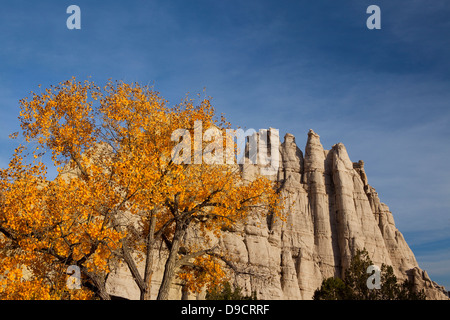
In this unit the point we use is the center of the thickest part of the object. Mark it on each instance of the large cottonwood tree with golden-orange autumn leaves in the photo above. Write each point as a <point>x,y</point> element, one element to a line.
<point>119,195</point>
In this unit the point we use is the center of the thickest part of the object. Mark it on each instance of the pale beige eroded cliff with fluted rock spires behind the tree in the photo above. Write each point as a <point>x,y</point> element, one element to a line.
<point>331,211</point>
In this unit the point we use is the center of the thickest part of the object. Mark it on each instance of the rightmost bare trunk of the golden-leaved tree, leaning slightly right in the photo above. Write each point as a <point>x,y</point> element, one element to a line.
<point>171,263</point>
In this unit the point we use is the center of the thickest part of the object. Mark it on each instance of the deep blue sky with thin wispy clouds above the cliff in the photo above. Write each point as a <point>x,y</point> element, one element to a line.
<point>291,65</point>
